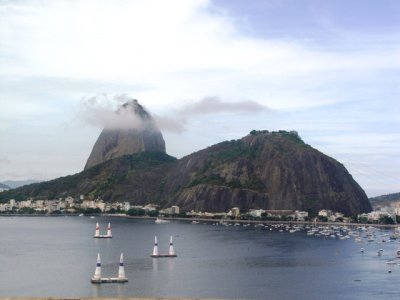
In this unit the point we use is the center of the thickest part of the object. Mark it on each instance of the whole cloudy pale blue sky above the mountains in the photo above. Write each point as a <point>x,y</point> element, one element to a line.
<point>207,71</point>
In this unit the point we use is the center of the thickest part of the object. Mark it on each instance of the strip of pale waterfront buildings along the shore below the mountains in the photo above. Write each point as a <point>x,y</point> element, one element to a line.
<point>71,205</point>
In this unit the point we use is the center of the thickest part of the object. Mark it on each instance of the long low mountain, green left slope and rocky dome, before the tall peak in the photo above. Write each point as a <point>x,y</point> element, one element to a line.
<point>268,170</point>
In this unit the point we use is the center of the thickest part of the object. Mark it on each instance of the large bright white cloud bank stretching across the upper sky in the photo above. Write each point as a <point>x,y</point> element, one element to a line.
<point>171,45</point>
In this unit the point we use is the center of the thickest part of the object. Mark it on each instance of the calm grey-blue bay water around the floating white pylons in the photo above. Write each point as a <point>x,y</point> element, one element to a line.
<point>56,257</point>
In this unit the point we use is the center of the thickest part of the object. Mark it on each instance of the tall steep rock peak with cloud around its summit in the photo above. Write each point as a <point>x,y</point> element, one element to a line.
<point>139,135</point>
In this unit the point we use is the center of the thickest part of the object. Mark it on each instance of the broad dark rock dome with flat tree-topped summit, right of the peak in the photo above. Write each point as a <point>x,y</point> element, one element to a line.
<point>263,170</point>
